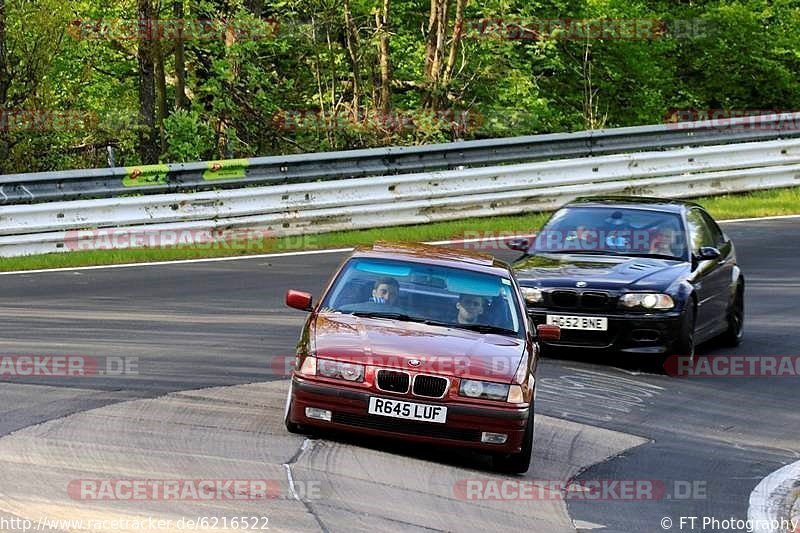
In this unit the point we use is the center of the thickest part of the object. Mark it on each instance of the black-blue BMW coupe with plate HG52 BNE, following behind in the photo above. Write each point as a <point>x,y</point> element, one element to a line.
<point>630,274</point>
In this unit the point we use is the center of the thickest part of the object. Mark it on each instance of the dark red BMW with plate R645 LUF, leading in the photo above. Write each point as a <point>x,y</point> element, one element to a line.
<point>421,343</point>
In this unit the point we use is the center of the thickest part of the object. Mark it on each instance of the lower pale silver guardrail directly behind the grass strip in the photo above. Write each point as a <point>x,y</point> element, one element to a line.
<point>367,202</point>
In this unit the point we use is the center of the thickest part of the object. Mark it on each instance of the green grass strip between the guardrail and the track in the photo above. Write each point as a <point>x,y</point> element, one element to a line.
<point>748,205</point>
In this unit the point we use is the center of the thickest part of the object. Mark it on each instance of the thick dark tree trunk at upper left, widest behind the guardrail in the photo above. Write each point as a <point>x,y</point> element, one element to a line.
<point>148,136</point>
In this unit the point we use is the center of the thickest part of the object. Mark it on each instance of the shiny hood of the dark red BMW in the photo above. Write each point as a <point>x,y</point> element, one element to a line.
<point>392,343</point>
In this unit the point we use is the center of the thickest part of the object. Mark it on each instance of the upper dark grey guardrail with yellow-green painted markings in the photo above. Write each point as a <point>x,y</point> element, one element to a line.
<point>215,175</point>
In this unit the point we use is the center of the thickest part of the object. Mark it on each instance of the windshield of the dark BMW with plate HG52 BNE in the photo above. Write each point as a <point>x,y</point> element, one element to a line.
<point>613,230</point>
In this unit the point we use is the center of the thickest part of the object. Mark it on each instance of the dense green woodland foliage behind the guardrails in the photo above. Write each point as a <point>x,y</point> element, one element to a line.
<point>258,65</point>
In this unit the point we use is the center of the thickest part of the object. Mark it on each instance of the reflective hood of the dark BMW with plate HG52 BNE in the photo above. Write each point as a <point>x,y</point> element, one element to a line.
<point>598,272</point>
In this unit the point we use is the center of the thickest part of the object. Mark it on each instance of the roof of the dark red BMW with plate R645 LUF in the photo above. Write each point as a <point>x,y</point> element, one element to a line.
<point>439,255</point>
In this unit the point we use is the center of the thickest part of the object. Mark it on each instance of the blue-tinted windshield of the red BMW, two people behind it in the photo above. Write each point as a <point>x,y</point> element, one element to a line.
<point>419,292</point>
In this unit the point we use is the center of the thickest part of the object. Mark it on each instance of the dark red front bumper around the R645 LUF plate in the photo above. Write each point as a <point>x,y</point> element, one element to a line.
<point>465,422</point>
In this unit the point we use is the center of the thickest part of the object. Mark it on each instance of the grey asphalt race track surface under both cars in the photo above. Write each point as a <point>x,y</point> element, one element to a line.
<point>209,342</point>
